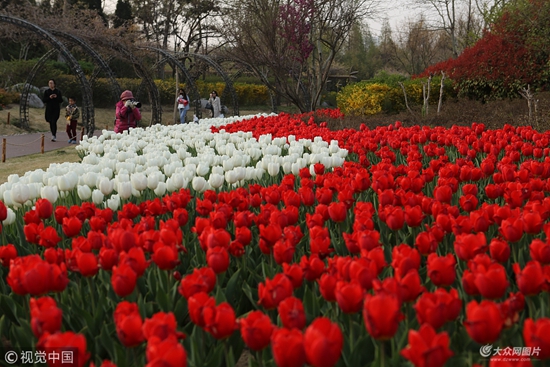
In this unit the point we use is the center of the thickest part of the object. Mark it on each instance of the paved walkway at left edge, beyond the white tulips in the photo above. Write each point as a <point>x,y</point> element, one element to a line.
<point>25,144</point>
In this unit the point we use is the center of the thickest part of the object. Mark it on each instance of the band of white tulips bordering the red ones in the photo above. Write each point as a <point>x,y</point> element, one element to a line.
<point>166,159</point>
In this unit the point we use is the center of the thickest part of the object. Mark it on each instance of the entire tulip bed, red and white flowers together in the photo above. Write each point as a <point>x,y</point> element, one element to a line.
<point>184,245</point>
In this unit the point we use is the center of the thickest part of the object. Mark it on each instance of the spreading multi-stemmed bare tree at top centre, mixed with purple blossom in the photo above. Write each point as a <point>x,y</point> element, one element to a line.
<point>293,43</point>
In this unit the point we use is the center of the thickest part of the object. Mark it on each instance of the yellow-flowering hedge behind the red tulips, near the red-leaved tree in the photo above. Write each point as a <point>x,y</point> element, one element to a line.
<point>368,98</point>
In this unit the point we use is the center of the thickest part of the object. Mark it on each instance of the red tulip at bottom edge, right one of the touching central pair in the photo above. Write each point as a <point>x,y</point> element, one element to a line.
<point>323,341</point>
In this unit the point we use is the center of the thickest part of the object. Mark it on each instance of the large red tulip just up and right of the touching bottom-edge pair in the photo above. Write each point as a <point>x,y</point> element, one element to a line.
<point>382,315</point>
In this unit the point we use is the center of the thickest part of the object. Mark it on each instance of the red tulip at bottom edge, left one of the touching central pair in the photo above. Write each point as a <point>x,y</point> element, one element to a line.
<point>287,347</point>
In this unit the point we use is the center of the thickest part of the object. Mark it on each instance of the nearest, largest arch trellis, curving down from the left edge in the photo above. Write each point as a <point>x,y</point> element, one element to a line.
<point>71,61</point>
